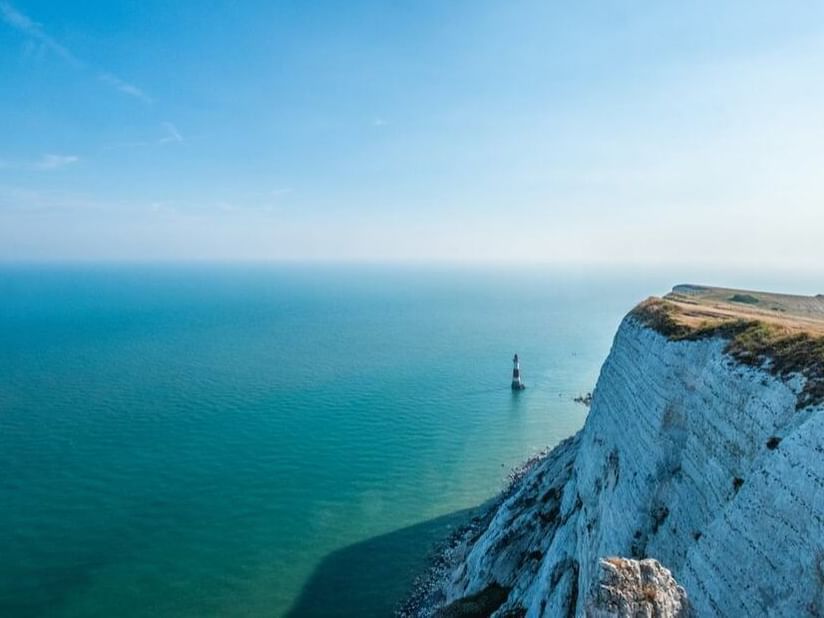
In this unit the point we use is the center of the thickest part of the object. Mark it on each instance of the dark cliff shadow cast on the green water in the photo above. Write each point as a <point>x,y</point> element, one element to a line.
<point>369,579</point>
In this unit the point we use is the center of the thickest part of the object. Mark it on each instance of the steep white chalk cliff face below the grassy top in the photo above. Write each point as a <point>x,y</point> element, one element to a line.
<point>687,456</point>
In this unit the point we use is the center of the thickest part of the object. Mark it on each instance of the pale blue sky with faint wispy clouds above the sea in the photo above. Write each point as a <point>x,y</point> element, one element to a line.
<point>467,131</point>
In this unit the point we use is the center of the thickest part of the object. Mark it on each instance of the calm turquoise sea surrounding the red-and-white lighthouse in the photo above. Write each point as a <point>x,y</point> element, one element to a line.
<point>250,441</point>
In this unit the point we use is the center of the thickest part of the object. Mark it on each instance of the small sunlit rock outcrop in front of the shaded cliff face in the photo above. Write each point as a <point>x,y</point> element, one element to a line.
<point>636,589</point>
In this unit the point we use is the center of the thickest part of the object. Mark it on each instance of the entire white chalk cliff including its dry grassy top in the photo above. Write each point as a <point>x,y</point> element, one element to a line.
<point>703,450</point>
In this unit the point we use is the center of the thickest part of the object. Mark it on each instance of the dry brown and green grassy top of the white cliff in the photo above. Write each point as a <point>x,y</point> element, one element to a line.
<point>778,332</point>
